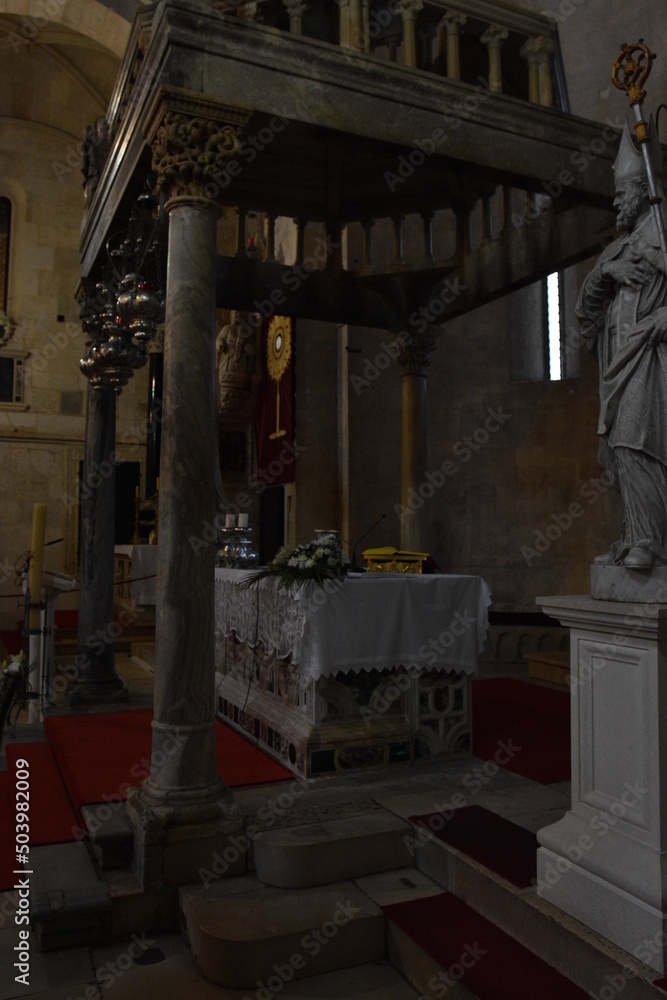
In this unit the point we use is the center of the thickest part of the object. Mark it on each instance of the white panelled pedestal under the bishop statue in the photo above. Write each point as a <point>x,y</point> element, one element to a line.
<point>605,862</point>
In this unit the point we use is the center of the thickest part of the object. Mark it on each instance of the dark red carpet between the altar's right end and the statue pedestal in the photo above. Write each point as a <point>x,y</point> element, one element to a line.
<point>531,720</point>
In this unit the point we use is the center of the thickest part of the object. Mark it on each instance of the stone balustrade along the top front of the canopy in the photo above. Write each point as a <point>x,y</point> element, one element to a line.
<point>486,42</point>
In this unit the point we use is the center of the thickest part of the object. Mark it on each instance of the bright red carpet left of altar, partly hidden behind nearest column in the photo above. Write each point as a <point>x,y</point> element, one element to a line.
<point>101,755</point>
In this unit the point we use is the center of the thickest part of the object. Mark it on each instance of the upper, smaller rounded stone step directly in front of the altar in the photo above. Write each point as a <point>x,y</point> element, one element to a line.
<point>333,850</point>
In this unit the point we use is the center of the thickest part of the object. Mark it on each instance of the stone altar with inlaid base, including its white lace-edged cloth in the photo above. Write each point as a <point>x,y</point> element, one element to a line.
<point>370,670</point>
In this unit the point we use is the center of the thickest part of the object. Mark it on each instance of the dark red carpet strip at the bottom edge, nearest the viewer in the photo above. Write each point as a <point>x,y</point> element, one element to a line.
<point>475,952</point>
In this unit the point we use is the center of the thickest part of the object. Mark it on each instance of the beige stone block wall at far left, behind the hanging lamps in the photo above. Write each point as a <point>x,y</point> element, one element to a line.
<point>45,108</point>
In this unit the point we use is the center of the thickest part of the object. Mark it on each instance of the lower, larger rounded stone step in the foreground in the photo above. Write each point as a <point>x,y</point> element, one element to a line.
<point>244,935</point>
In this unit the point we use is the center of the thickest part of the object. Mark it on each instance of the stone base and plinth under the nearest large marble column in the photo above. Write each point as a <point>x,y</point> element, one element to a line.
<point>178,833</point>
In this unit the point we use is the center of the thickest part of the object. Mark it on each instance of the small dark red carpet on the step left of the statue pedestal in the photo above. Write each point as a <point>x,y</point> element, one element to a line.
<point>498,844</point>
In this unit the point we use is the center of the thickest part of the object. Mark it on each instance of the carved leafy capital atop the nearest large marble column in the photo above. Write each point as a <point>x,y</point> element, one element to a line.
<point>192,139</point>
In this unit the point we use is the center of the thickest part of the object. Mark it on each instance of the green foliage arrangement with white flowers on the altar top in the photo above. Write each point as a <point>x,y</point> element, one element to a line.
<point>316,561</point>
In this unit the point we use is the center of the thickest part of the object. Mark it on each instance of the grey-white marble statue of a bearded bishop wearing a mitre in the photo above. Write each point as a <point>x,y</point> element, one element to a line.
<point>623,312</point>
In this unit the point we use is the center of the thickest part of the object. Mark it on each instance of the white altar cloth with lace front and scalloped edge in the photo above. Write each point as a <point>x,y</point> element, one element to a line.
<point>369,621</point>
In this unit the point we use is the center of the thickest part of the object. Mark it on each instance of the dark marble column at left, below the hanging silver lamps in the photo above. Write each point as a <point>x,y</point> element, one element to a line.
<point>96,681</point>
